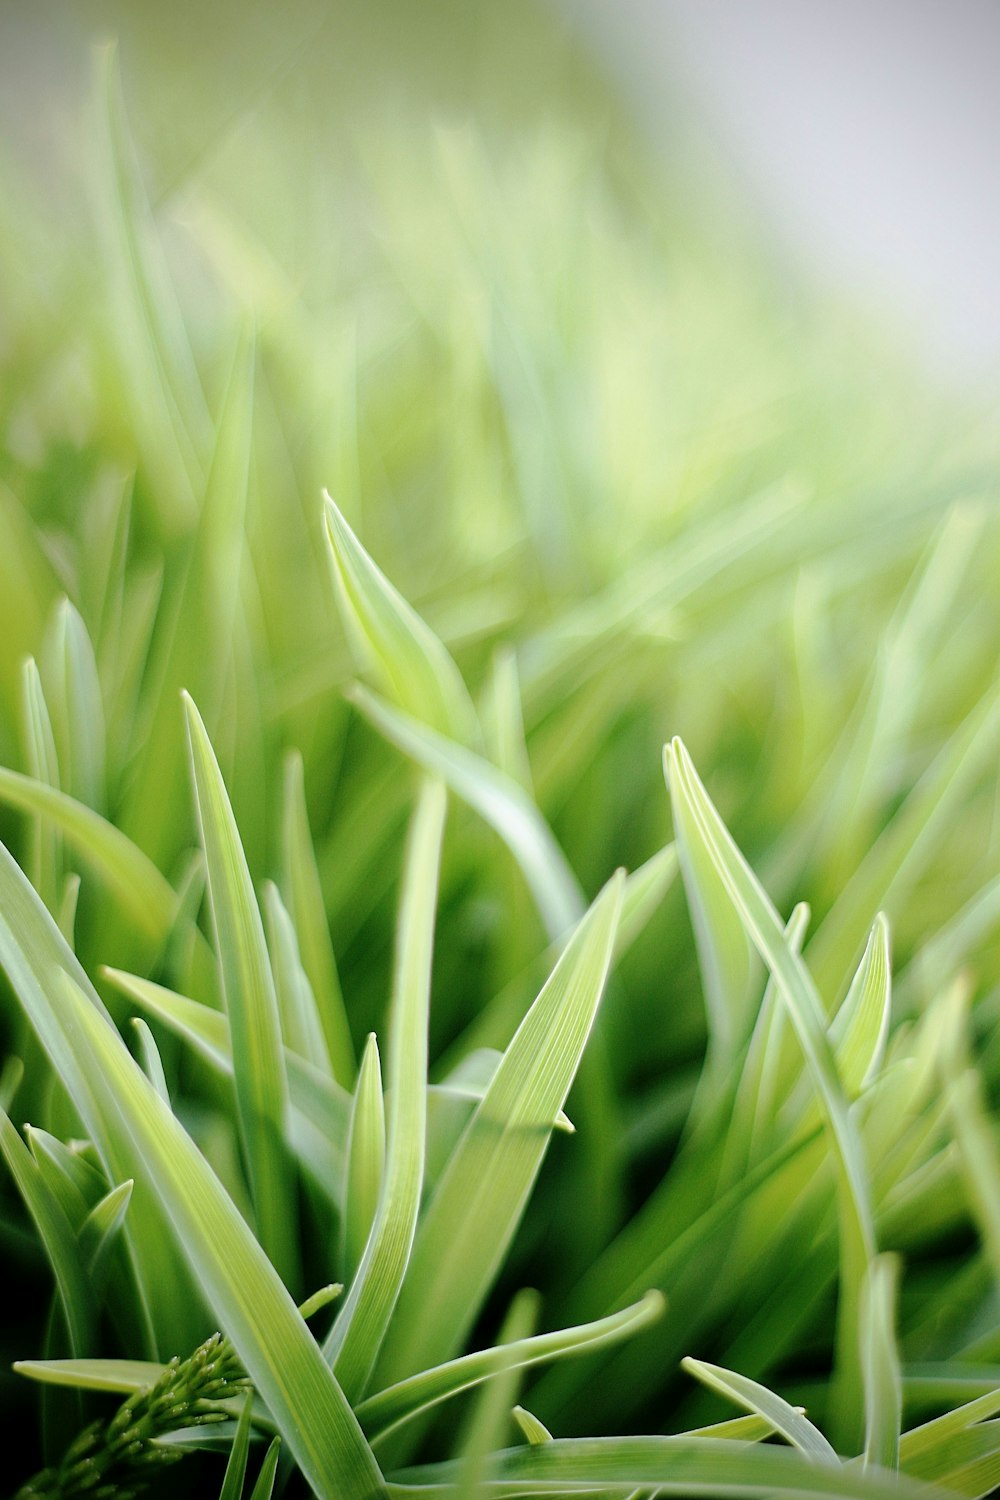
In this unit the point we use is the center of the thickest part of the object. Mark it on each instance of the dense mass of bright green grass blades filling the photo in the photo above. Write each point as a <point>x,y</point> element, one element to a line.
<point>383,487</point>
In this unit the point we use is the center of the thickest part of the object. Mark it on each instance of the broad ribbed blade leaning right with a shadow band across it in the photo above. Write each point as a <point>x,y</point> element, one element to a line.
<point>482,1195</point>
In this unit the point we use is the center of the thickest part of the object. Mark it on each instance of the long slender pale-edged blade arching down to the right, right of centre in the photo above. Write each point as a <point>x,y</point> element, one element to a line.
<point>806,1013</point>
